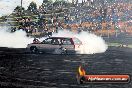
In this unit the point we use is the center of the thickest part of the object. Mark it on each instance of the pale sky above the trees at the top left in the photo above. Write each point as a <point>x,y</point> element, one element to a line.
<point>7,6</point>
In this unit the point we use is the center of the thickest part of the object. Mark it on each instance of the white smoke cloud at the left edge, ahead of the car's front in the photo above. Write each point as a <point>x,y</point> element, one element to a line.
<point>17,39</point>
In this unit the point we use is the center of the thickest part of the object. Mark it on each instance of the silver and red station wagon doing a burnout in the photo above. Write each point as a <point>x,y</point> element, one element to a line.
<point>56,45</point>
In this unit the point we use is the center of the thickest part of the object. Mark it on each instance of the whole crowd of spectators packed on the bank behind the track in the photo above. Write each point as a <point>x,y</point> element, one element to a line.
<point>81,18</point>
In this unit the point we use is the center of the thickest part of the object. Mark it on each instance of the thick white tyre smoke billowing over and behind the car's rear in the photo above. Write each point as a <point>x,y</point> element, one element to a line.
<point>91,42</point>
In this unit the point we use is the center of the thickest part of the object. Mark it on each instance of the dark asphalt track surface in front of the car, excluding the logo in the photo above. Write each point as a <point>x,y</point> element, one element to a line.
<point>21,69</point>
